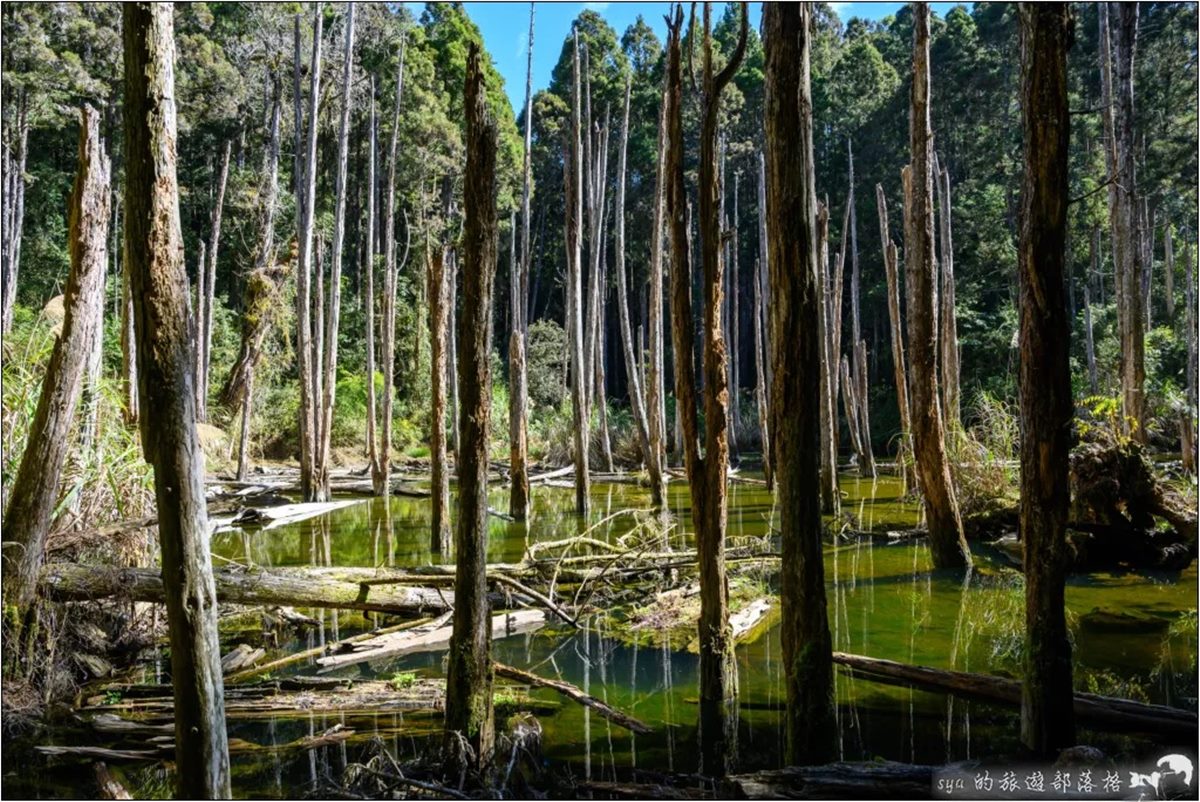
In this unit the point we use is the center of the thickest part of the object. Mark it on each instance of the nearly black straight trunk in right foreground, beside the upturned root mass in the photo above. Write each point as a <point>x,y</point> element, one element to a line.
<point>1046,400</point>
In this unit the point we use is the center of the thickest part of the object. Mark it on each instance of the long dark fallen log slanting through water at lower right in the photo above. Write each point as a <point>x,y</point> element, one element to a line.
<point>1112,714</point>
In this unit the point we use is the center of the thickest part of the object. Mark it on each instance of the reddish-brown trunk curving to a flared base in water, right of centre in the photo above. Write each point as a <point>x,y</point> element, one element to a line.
<point>947,542</point>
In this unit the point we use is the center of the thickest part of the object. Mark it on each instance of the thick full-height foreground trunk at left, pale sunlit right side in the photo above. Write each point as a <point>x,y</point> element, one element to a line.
<point>154,258</point>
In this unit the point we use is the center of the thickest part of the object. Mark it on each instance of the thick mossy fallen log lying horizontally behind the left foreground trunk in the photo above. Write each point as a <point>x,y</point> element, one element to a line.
<point>298,588</point>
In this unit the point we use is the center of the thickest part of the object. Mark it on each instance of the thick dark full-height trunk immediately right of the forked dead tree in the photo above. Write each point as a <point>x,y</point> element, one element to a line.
<point>809,721</point>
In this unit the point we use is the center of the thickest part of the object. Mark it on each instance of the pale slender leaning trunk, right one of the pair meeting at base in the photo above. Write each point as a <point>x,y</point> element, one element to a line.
<point>335,271</point>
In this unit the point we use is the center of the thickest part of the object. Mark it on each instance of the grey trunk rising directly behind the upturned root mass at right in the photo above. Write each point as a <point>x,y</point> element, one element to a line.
<point>1127,250</point>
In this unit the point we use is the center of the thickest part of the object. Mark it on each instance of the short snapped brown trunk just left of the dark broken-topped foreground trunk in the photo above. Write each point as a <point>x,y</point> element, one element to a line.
<point>440,478</point>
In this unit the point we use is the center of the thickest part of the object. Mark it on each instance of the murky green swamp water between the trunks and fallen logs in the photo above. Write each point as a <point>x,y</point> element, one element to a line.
<point>884,602</point>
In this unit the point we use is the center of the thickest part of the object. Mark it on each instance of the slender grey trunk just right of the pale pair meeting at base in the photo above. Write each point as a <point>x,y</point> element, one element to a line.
<point>381,477</point>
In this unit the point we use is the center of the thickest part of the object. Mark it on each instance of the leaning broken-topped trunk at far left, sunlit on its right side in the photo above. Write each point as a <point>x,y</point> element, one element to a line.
<point>37,488</point>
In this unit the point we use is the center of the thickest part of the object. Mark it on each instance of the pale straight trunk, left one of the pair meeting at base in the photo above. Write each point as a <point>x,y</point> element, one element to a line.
<point>307,181</point>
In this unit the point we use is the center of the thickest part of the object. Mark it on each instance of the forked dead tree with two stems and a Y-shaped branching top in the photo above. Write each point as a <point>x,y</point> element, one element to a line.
<point>706,475</point>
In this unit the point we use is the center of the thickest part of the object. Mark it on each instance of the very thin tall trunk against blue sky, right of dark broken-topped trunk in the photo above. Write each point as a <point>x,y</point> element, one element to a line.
<point>519,390</point>
